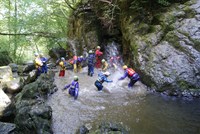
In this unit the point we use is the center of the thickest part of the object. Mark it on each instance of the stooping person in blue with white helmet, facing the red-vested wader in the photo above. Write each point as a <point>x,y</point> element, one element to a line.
<point>102,77</point>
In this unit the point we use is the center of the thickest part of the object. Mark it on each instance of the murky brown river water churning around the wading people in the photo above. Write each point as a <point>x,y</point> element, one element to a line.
<point>141,111</point>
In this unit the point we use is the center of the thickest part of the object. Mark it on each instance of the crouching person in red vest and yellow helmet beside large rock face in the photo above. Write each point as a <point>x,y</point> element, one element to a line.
<point>132,75</point>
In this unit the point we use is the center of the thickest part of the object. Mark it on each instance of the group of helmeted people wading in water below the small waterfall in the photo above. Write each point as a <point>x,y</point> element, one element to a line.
<point>94,60</point>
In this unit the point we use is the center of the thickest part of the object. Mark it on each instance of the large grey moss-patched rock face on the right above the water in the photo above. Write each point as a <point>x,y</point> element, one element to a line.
<point>169,56</point>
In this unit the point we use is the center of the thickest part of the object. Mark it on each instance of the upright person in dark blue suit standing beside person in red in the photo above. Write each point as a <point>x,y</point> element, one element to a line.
<point>91,62</point>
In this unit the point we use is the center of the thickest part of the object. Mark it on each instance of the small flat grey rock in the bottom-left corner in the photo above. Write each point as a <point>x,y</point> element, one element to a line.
<point>7,128</point>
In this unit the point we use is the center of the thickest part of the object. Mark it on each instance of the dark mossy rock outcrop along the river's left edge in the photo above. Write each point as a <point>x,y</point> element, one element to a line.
<point>32,115</point>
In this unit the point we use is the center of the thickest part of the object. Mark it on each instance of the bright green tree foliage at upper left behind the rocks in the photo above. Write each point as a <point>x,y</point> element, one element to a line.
<point>39,25</point>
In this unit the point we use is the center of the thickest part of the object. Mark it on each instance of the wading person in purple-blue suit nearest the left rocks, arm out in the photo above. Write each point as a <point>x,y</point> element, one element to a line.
<point>73,87</point>
